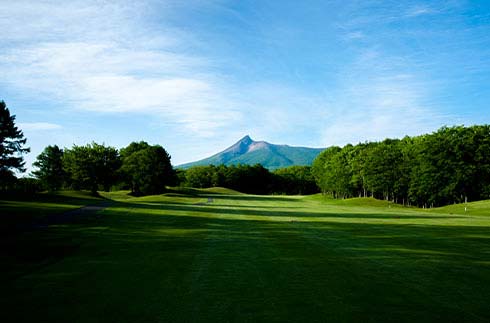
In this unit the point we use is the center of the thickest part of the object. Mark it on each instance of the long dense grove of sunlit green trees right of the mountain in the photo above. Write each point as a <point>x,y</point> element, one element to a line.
<point>451,165</point>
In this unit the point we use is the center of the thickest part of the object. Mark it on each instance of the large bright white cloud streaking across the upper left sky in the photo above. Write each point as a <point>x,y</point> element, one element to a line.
<point>123,70</point>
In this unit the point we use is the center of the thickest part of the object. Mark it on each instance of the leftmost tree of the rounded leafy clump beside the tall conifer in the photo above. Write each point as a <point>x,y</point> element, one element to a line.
<point>50,168</point>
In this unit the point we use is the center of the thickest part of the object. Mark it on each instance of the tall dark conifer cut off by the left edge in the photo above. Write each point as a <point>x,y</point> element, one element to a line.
<point>12,143</point>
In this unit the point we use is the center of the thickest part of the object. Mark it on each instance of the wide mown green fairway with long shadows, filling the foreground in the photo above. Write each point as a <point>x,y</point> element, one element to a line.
<point>218,255</point>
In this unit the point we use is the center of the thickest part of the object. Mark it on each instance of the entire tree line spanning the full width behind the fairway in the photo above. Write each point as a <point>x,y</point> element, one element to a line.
<point>451,165</point>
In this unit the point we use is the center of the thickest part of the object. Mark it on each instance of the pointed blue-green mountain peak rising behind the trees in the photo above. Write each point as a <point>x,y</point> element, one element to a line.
<point>249,152</point>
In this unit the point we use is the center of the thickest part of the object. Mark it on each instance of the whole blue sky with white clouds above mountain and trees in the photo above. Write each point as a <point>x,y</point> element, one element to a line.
<point>195,76</point>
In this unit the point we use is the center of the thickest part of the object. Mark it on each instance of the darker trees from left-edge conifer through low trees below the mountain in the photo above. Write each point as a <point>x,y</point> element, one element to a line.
<point>141,168</point>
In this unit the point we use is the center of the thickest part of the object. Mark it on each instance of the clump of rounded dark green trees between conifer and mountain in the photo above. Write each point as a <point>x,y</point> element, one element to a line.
<point>142,168</point>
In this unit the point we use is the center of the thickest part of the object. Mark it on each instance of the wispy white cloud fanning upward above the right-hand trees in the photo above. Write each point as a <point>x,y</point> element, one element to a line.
<point>380,100</point>
